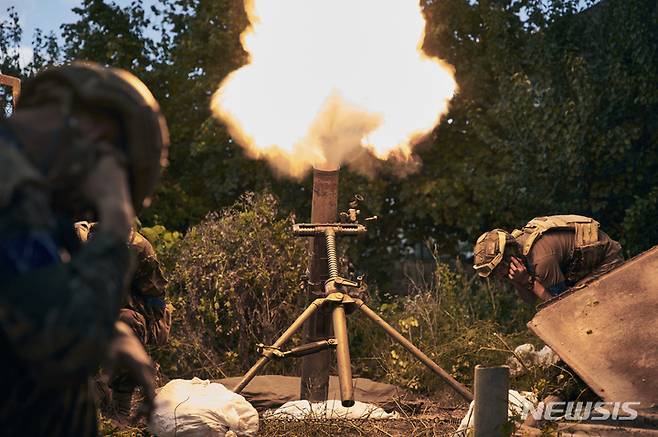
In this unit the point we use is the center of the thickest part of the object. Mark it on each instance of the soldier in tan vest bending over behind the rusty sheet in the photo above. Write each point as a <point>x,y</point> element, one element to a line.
<point>548,256</point>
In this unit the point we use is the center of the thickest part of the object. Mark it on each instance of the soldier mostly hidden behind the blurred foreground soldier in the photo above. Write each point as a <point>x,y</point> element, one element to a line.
<point>144,309</point>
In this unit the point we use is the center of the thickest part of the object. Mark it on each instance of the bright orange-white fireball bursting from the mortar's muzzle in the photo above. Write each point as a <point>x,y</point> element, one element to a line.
<point>327,77</point>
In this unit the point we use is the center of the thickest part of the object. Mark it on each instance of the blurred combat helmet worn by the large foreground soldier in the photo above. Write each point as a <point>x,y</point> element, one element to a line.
<point>145,133</point>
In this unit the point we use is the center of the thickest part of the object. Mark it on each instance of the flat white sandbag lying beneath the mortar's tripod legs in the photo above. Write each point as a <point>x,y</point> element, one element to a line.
<point>331,409</point>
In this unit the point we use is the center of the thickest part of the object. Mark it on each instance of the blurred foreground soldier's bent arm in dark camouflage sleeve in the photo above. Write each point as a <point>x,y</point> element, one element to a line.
<point>60,317</point>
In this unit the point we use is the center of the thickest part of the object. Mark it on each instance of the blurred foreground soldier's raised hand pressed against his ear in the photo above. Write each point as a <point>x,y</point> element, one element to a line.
<point>107,188</point>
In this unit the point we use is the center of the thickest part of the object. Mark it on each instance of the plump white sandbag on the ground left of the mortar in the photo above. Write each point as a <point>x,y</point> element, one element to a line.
<point>202,409</point>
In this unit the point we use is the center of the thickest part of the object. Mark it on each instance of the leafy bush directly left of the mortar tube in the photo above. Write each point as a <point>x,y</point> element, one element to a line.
<point>235,283</point>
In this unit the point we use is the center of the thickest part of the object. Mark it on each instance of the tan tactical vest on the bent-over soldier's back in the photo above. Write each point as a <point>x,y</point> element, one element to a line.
<point>586,229</point>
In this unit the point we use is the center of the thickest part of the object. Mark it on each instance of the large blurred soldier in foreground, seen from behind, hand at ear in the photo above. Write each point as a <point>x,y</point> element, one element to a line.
<point>84,141</point>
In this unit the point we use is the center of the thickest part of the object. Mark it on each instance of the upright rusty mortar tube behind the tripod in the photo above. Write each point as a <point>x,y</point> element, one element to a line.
<point>324,209</point>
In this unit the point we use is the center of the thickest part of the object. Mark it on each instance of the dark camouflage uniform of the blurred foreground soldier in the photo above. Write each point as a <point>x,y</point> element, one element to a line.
<point>56,317</point>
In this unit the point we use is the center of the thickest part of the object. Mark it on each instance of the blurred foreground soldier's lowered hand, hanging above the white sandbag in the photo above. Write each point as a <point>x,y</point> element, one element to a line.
<point>127,354</point>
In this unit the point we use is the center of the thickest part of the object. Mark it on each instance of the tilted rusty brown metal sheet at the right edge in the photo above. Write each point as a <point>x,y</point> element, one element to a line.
<point>607,331</point>
